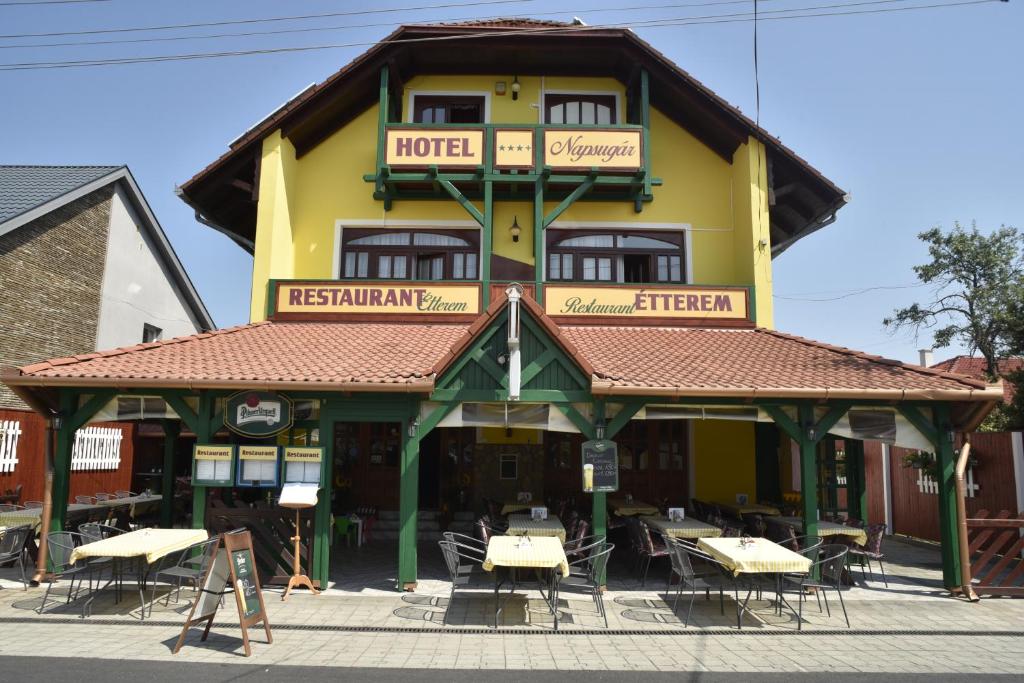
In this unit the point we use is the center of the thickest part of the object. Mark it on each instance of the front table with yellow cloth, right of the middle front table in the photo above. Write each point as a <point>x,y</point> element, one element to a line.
<point>759,557</point>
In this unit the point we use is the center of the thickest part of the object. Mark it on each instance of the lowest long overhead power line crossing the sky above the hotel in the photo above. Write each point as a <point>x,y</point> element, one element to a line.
<point>691,21</point>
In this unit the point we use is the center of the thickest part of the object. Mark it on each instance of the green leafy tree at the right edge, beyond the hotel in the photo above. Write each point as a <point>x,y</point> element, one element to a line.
<point>978,285</point>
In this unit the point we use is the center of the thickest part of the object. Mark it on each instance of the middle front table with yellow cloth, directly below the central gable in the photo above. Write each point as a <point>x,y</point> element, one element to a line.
<point>522,552</point>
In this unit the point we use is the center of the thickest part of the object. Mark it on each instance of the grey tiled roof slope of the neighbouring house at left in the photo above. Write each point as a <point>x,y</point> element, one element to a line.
<point>25,188</point>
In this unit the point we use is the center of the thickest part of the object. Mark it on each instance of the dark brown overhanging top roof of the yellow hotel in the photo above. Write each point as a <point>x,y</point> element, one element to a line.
<point>225,193</point>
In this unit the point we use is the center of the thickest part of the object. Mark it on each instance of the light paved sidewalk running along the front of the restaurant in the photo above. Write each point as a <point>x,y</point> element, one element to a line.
<point>913,626</point>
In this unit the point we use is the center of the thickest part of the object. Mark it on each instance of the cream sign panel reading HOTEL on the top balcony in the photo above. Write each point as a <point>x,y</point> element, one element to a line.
<point>421,148</point>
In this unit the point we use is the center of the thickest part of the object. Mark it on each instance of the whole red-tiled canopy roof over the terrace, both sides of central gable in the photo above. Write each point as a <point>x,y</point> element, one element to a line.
<point>676,363</point>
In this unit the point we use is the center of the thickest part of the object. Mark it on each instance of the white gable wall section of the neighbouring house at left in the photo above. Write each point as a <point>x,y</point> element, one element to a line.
<point>137,287</point>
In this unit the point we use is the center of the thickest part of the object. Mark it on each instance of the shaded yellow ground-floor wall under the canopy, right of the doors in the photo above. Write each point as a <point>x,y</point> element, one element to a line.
<point>723,460</point>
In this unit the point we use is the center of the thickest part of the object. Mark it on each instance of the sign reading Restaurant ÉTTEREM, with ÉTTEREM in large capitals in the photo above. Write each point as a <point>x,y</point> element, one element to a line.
<point>632,304</point>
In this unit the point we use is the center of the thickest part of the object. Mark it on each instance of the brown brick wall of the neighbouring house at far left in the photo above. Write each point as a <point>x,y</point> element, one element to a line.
<point>52,273</point>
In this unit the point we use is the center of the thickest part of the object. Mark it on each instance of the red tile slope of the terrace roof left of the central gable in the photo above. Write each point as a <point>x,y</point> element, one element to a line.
<point>361,357</point>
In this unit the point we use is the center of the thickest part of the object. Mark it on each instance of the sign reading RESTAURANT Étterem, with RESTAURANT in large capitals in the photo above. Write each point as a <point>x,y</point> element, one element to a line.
<point>314,300</point>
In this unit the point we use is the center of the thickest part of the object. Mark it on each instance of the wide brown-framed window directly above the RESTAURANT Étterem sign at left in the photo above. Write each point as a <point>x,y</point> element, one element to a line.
<point>410,255</point>
